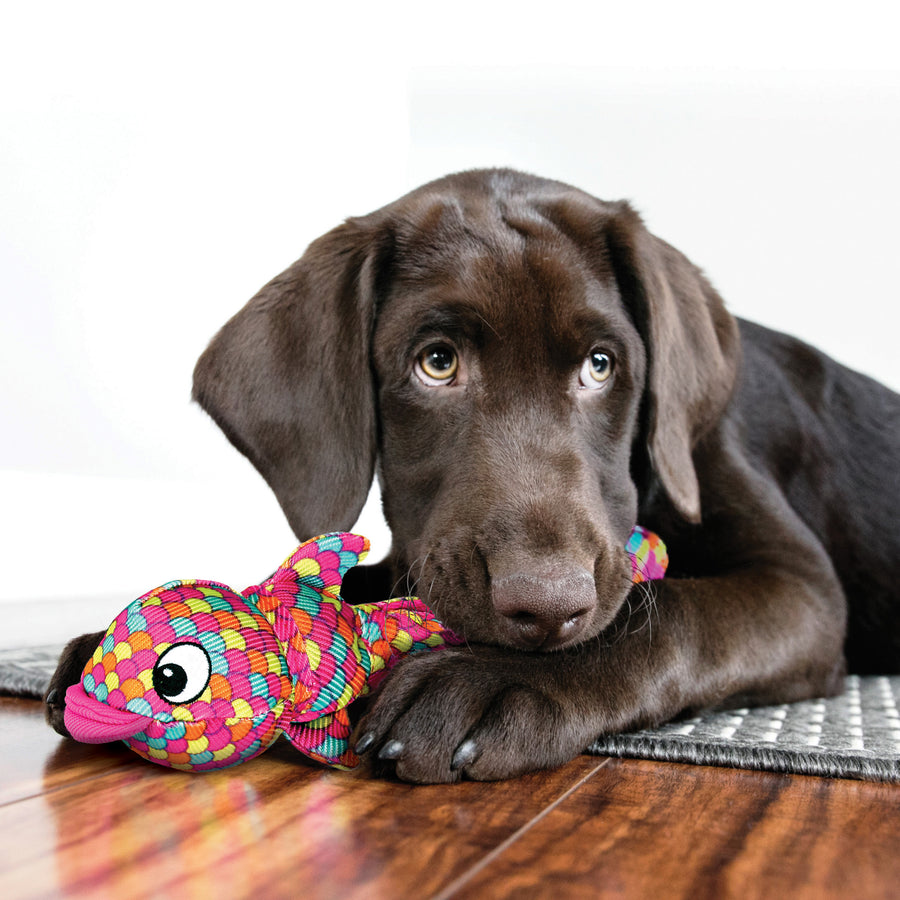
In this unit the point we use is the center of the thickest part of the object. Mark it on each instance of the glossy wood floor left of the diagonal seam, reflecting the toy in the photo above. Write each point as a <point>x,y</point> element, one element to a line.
<point>101,826</point>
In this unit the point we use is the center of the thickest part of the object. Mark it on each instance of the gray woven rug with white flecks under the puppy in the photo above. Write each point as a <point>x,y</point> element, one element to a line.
<point>855,735</point>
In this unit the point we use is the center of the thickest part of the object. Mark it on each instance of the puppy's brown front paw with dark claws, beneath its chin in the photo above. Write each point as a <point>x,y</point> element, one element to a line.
<point>479,713</point>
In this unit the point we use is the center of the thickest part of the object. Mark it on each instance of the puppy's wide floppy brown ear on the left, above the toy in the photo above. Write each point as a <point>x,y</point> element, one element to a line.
<point>289,381</point>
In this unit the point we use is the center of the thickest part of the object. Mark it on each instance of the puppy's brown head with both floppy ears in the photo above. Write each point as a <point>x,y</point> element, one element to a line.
<point>519,359</point>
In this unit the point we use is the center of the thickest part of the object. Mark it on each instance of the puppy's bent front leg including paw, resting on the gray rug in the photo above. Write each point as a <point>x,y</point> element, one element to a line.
<point>769,629</point>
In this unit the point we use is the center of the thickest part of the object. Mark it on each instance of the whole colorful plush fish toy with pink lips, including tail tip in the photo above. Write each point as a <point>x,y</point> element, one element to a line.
<point>195,676</point>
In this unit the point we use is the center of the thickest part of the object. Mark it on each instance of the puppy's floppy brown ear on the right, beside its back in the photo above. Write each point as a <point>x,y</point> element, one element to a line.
<point>692,344</point>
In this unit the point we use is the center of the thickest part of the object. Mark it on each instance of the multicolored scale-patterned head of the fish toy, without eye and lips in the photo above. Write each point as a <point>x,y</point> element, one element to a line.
<point>235,717</point>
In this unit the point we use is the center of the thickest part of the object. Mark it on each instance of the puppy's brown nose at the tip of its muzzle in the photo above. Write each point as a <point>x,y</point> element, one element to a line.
<point>547,610</point>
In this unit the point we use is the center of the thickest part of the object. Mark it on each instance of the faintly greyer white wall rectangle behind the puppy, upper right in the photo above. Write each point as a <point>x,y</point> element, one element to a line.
<point>783,186</point>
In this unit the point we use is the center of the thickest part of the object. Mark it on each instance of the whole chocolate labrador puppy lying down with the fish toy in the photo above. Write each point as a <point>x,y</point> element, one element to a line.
<point>531,372</point>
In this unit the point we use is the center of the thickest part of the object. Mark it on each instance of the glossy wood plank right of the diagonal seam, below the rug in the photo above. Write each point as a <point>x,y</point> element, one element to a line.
<point>644,829</point>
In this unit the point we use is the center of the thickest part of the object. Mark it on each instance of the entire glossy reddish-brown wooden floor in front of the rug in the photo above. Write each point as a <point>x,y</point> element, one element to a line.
<point>98,821</point>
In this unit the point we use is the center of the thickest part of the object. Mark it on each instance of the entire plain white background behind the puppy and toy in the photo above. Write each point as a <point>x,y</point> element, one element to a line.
<point>160,162</point>
